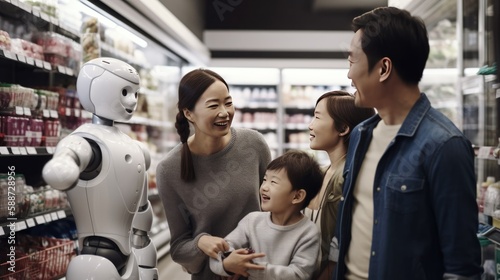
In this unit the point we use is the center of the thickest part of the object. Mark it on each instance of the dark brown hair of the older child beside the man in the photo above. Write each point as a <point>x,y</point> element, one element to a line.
<point>341,108</point>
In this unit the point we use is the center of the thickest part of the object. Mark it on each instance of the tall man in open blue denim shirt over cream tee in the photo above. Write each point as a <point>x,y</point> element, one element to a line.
<point>408,209</point>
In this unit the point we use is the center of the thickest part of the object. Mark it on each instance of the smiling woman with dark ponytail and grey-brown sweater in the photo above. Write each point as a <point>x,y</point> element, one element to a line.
<point>211,180</point>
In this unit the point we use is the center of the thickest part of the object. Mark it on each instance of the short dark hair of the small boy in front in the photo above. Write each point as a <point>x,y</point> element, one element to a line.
<point>302,170</point>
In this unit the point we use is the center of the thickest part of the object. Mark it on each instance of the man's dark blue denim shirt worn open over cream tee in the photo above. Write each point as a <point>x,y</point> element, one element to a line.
<point>425,211</point>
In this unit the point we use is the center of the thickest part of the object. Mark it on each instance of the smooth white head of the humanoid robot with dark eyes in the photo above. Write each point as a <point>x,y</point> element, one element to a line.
<point>107,87</point>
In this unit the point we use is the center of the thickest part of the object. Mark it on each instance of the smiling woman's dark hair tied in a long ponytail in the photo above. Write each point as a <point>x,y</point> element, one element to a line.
<point>191,87</point>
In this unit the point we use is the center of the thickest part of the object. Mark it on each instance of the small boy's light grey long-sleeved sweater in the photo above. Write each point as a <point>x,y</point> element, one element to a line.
<point>291,251</point>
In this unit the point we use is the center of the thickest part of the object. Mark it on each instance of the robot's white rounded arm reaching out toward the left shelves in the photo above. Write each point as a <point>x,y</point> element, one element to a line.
<point>72,155</point>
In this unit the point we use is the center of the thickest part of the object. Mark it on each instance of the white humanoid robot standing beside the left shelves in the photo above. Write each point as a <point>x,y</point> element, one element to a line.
<point>103,172</point>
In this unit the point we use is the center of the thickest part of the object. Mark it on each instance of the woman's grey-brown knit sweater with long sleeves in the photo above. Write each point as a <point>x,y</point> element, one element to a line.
<point>225,190</point>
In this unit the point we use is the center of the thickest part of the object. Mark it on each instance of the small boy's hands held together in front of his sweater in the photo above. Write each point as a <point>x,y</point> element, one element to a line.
<point>239,261</point>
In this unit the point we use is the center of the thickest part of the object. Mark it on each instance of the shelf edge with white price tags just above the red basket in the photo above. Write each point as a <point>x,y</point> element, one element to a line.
<point>32,221</point>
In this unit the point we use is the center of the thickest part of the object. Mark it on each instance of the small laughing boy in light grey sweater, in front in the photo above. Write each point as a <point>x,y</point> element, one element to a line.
<point>288,242</point>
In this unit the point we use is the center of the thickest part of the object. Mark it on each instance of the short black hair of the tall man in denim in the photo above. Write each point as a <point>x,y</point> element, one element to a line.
<point>396,34</point>
